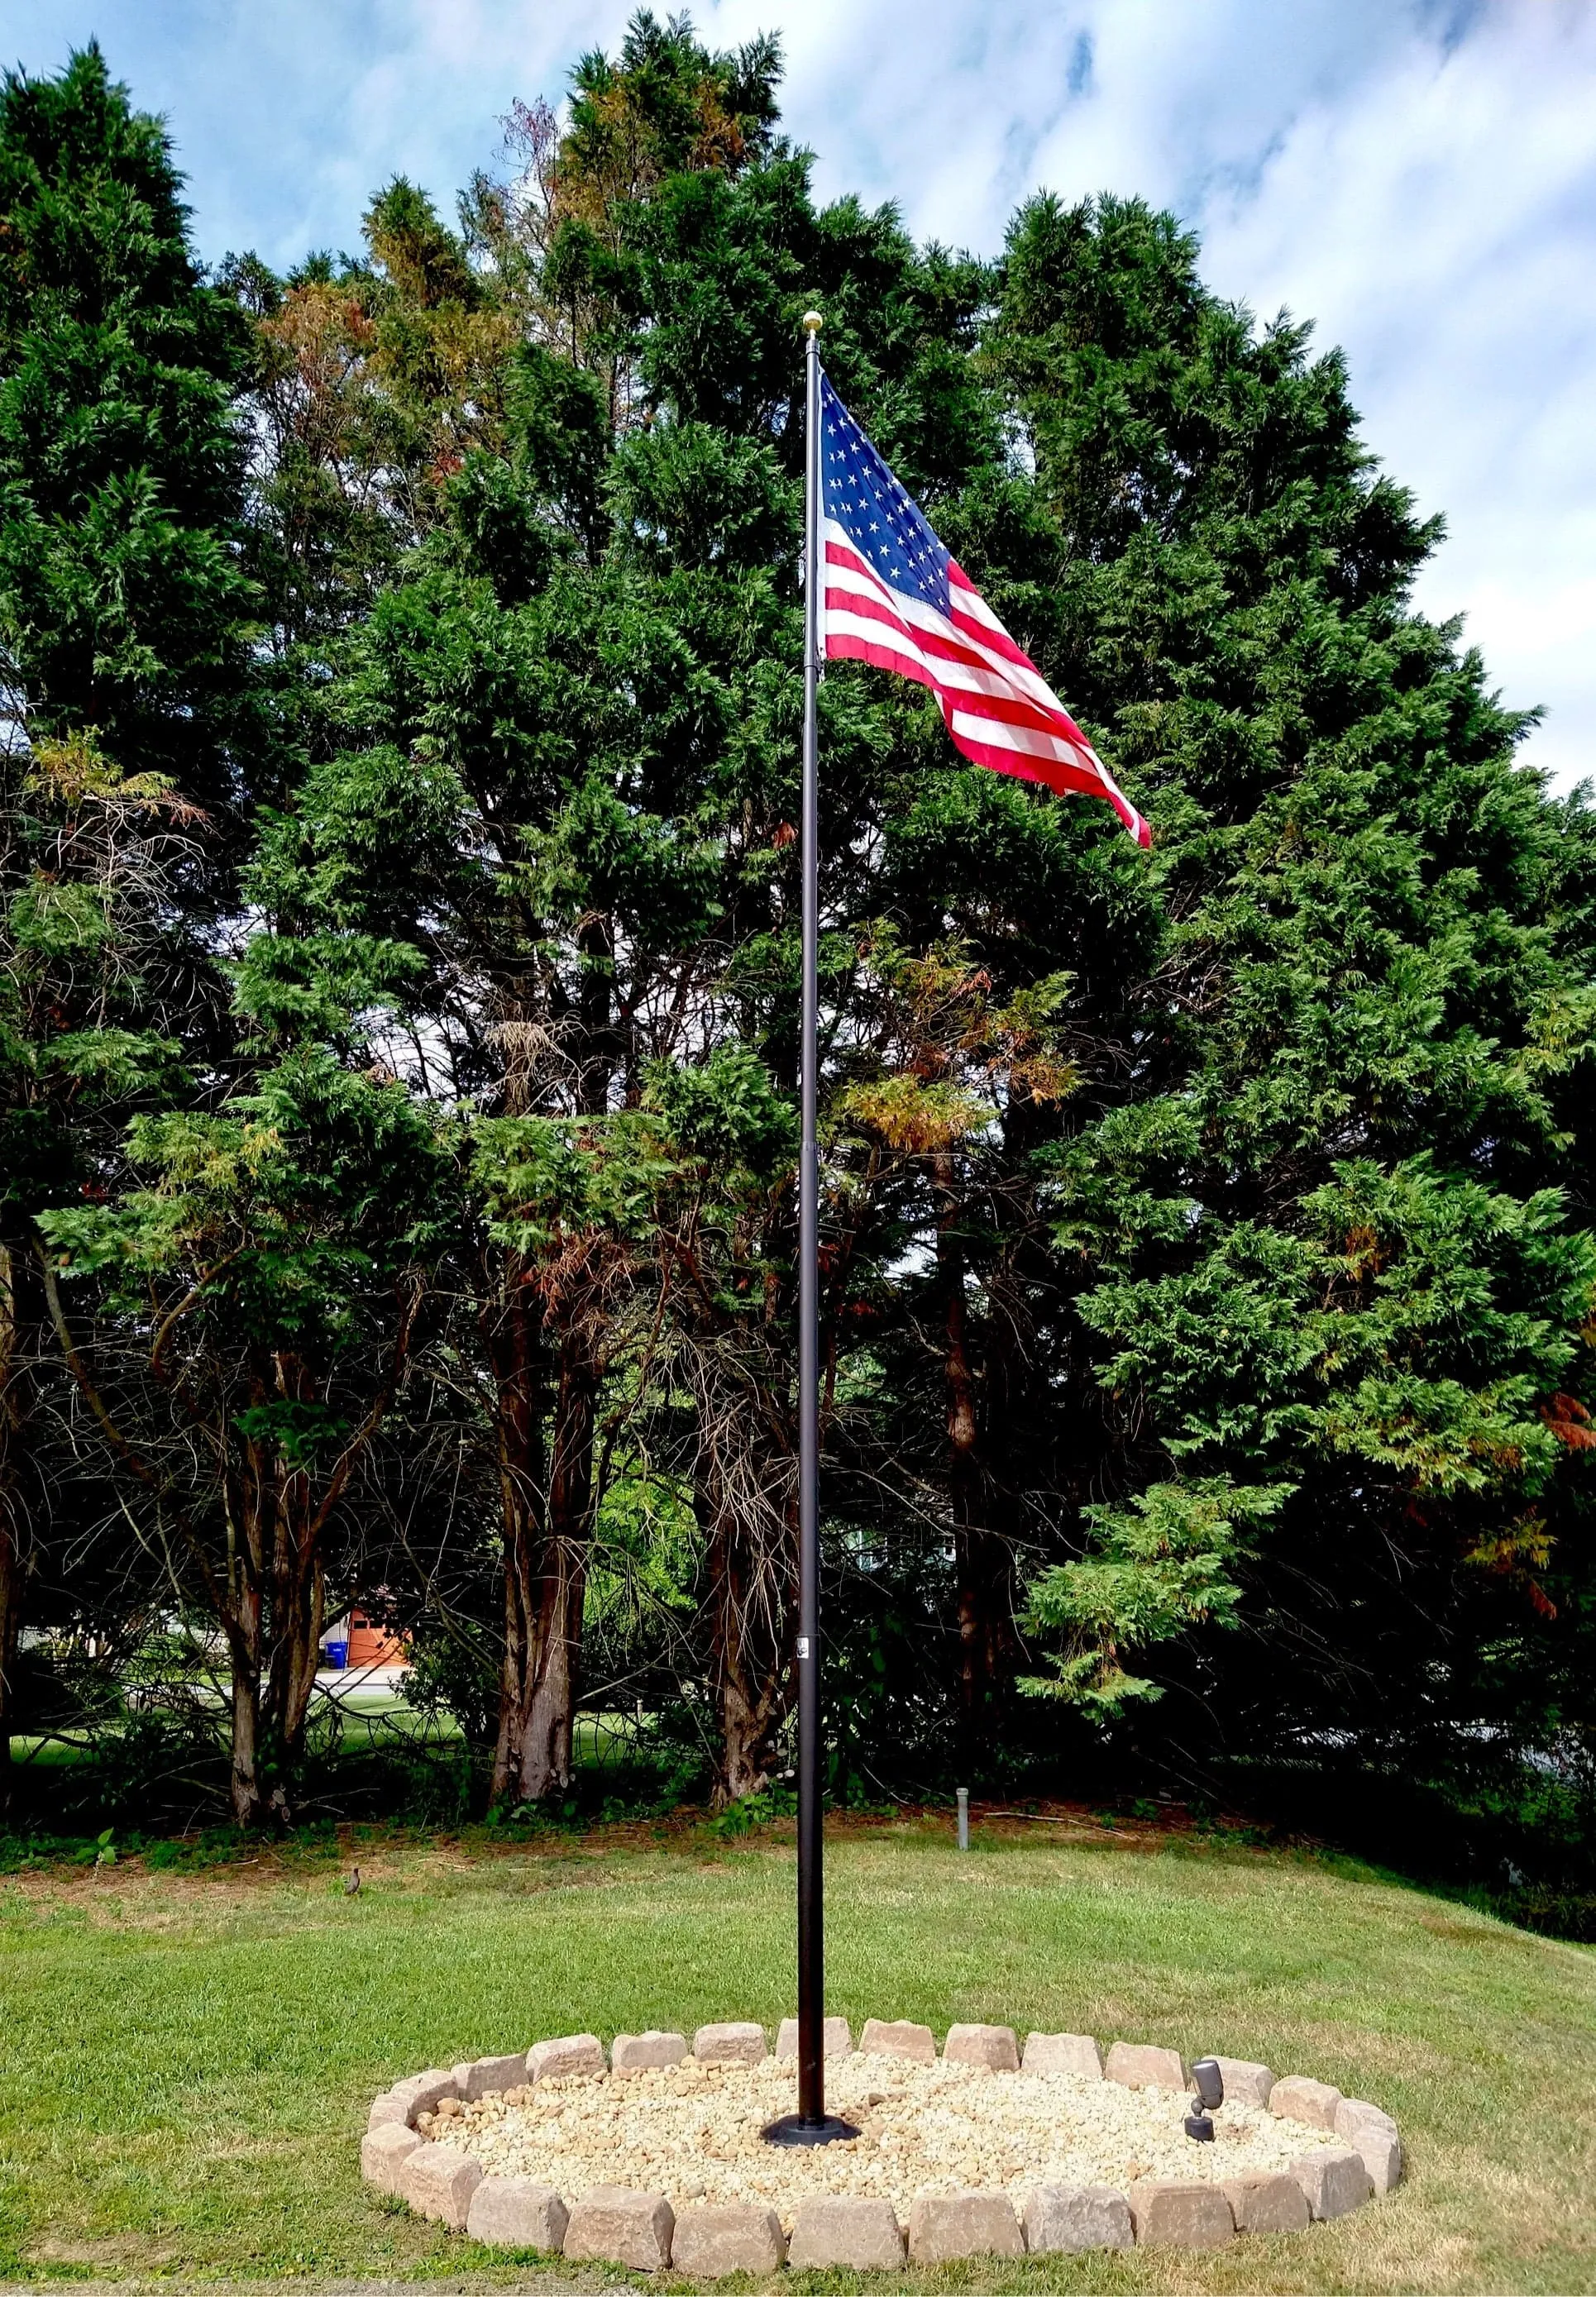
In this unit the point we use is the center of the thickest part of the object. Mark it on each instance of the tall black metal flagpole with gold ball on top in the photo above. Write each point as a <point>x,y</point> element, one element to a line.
<point>812,2124</point>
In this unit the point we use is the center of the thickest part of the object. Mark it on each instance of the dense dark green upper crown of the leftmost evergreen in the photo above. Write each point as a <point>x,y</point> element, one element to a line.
<point>121,456</point>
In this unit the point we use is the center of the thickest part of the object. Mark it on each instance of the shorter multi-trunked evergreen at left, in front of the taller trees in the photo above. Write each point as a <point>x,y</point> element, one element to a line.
<point>263,1283</point>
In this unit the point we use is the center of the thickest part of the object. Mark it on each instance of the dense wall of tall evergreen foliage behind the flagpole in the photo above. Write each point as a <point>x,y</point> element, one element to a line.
<point>1207,1264</point>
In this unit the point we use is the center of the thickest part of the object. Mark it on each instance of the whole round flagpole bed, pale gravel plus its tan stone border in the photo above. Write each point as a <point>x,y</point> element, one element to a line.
<point>656,2153</point>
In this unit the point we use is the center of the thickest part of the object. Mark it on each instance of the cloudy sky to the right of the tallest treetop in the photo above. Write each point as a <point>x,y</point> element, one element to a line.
<point>1418,178</point>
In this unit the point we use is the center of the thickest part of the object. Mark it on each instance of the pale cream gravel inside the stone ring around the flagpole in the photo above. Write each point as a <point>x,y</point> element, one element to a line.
<point>692,2133</point>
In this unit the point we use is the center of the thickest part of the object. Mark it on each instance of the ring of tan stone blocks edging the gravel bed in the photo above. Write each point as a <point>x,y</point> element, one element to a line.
<point>635,2229</point>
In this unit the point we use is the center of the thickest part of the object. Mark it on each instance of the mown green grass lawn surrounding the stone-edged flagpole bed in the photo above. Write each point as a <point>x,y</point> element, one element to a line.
<point>187,2059</point>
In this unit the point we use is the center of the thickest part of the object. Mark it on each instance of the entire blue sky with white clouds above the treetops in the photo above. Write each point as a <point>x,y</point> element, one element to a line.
<point>1418,176</point>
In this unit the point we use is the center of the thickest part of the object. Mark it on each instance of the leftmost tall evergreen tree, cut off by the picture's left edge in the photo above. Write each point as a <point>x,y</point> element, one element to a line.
<point>123,642</point>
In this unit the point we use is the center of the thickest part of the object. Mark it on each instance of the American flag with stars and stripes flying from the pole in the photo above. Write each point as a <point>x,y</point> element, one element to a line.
<point>892,596</point>
